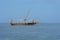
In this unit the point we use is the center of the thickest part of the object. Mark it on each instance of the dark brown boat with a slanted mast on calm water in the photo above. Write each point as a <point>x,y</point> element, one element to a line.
<point>26,22</point>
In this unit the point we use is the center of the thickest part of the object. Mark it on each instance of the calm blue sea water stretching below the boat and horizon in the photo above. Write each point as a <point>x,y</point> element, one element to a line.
<point>44,31</point>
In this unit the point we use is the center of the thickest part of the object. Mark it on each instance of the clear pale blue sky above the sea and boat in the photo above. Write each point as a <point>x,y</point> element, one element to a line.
<point>44,11</point>
